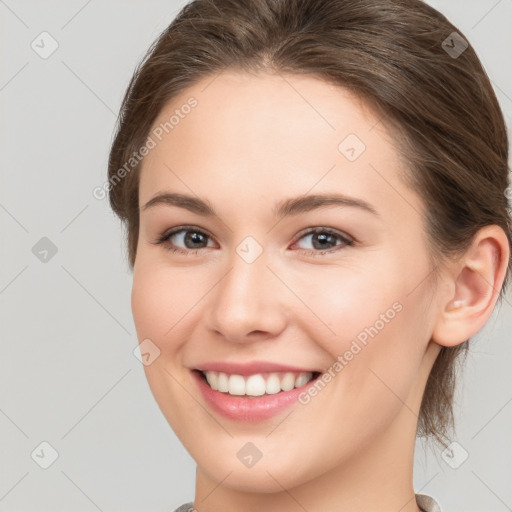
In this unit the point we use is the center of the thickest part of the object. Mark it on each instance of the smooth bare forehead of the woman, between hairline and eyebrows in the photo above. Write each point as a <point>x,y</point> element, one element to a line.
<point>248,132</point>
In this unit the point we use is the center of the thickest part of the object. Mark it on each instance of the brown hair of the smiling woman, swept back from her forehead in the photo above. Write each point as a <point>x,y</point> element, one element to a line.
<point>391,54</point>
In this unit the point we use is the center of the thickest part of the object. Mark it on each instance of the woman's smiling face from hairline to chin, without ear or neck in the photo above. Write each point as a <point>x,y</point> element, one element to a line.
<point>252,283</point>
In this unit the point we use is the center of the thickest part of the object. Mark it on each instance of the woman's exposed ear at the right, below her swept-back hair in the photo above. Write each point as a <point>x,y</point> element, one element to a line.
<point>474,283</point>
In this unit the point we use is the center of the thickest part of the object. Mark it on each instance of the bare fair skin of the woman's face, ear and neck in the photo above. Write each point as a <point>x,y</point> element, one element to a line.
<point>252,141</point>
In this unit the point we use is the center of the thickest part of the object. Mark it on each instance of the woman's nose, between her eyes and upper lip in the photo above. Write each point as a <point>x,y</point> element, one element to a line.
<point>247,304</point>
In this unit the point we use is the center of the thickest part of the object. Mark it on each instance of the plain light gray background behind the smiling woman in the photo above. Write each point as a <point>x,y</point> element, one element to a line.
<point>67,369</point>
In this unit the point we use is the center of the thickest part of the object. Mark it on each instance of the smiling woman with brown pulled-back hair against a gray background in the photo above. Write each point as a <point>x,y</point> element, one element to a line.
<point>315,201</point>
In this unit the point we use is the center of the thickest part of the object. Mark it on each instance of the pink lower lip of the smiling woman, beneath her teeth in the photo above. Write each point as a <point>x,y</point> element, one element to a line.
<point>244,408</point>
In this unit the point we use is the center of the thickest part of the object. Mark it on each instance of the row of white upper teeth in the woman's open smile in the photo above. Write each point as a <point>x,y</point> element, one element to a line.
<point>257,384</point>
